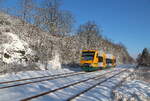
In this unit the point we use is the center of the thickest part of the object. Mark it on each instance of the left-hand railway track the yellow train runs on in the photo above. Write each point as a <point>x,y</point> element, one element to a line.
<point>14,83</point>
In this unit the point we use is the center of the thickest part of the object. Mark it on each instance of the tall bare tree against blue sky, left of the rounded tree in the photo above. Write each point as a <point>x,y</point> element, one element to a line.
<point>52,19</point>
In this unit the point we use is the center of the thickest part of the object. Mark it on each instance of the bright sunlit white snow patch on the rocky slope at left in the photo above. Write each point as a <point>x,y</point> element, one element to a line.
<point>13,47</point>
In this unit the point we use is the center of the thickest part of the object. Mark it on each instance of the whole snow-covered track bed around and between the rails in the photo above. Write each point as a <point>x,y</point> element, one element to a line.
<point>101,92</point>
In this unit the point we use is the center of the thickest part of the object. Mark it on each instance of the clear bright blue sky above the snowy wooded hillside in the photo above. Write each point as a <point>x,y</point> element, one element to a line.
<point>125,21</point>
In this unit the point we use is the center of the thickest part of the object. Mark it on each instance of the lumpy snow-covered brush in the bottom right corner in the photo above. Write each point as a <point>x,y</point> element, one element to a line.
<point>136,90</point>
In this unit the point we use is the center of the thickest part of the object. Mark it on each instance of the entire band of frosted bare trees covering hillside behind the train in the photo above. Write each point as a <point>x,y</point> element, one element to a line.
<point>46,15</point>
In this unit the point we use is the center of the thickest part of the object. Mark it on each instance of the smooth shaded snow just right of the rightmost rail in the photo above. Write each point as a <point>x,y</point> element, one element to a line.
<point>102,92</point>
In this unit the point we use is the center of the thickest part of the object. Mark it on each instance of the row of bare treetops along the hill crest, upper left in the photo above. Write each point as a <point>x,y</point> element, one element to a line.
<point>45,14</point>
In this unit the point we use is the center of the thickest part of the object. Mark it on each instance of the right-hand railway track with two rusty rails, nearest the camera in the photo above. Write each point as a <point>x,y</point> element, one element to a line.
<point>98,77</point>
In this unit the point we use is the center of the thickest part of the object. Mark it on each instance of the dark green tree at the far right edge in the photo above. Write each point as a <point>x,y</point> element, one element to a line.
<point>143,58</point>
